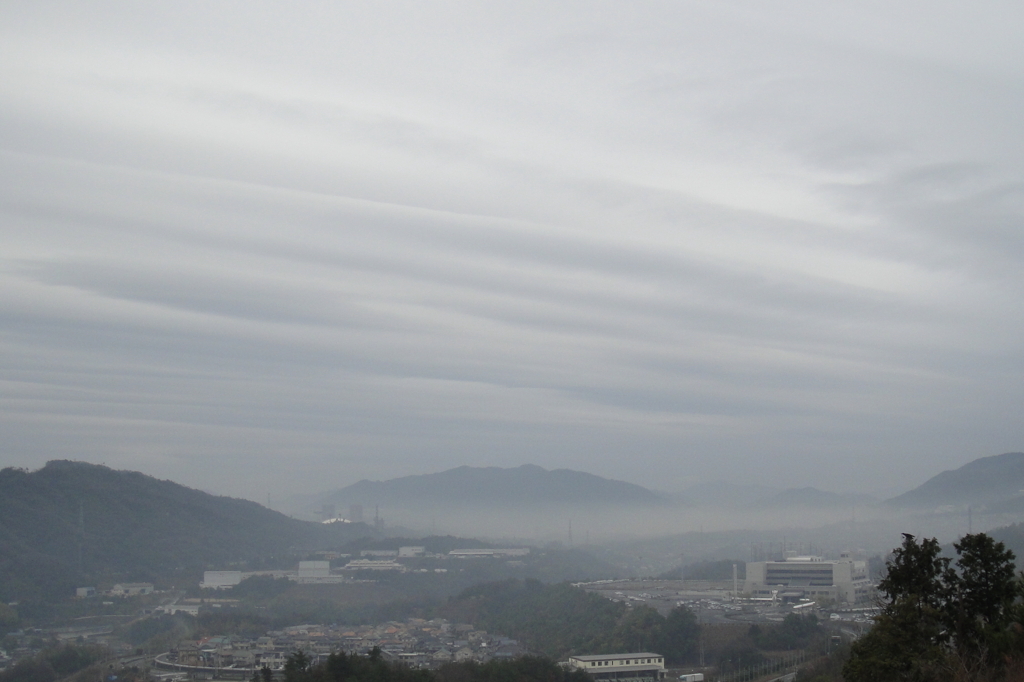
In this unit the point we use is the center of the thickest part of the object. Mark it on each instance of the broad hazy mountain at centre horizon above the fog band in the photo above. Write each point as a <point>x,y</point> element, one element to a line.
<point>528,486</point>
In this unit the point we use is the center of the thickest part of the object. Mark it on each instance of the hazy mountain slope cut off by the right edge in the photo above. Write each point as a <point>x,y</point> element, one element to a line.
<point>984,482</point>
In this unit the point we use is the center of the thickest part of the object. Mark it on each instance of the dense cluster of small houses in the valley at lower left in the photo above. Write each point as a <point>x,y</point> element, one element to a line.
<point>416,643</point>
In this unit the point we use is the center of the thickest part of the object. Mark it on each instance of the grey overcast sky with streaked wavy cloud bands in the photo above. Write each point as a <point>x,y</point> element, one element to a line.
<point>271,248</point>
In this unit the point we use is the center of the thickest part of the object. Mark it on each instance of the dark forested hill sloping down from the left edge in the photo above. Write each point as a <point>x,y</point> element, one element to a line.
<point>132,527</point>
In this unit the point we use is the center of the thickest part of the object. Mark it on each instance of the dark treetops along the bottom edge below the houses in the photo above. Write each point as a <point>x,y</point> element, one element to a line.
<point>351,668</point>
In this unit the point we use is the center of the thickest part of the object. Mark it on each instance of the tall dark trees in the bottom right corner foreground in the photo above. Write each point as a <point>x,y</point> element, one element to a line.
<point>945,620</point>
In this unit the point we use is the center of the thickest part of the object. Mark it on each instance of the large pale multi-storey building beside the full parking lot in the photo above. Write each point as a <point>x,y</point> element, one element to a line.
<point>809,577</point>
